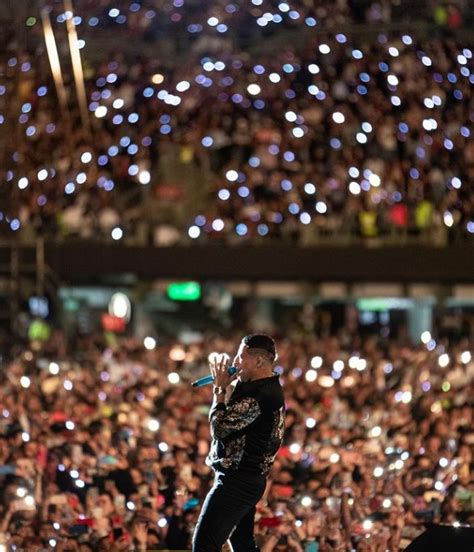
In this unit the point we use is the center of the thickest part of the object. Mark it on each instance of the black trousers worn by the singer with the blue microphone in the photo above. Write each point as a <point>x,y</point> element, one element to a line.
<point>230,503</point>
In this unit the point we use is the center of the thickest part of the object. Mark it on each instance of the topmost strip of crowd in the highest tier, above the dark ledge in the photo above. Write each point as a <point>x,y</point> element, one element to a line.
<point>153,20</point>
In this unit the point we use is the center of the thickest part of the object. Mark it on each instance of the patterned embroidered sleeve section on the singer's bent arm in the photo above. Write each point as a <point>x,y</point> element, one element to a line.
<point>236,417</point>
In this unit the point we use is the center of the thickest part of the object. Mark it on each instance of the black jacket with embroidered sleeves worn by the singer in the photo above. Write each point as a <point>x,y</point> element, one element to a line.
<point>248,431</point>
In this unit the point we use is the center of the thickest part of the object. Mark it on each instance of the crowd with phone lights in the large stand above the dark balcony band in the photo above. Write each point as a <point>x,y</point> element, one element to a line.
<point>332,137</point>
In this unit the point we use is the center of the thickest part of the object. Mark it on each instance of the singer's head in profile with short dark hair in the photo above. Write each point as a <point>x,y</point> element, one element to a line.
<point>255,357</point>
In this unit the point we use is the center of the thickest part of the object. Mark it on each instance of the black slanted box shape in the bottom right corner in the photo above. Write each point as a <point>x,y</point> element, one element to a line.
<point>444,538</point>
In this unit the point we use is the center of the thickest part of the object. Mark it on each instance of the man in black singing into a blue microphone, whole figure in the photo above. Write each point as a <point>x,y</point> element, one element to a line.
<point>247,431</point>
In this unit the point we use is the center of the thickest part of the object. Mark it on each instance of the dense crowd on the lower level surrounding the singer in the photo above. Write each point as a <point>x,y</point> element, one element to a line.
<point>103,442</point>
